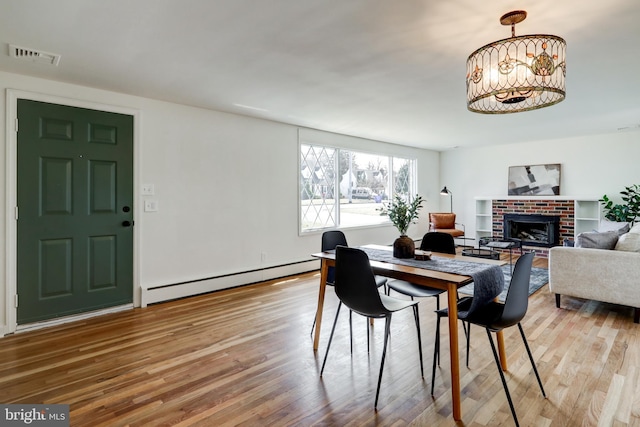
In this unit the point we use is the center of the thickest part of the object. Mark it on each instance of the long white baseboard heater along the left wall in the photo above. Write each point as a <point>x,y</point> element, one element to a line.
<point>171,291</point>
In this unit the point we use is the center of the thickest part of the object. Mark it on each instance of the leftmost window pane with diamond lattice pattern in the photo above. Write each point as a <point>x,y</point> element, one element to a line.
<point>318,207</point>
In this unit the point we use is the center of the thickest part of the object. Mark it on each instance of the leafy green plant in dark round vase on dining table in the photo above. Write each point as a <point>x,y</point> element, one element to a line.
<point>402,214</point>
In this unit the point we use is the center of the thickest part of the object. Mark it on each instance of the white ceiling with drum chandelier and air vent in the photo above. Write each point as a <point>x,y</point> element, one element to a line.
<point>386,70</point>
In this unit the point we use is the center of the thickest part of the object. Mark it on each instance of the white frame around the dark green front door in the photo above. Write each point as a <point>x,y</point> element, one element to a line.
<point>11,191</point>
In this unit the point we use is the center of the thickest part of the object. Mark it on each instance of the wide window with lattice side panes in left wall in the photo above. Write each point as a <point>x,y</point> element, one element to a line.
<point>343,188</point>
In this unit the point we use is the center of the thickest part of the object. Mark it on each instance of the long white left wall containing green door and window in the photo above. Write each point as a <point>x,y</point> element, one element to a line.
<point>226,187</point>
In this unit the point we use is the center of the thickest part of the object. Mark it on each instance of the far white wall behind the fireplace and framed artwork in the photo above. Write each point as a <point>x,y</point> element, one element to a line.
<point>591,166</point>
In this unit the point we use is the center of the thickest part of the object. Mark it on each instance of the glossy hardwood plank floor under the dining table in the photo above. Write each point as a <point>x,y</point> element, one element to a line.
<point>244,357</point>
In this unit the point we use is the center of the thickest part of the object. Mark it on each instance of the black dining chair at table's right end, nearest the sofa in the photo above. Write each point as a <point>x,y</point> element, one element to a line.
<point>495,316</point>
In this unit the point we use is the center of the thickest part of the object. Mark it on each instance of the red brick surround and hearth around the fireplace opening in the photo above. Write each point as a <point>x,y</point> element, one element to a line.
<point>563,209</point>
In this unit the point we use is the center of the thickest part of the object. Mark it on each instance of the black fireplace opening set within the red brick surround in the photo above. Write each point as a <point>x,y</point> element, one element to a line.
<point>532,230</point>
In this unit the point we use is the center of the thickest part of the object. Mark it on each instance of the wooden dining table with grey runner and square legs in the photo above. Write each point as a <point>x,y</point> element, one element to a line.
<point>420,276</point>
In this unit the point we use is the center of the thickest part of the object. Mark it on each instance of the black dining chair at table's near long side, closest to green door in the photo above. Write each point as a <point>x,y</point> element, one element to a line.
<point>356,288</point>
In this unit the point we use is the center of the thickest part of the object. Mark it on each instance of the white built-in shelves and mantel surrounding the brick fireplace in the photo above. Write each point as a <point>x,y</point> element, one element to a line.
<point>587,213</point>
